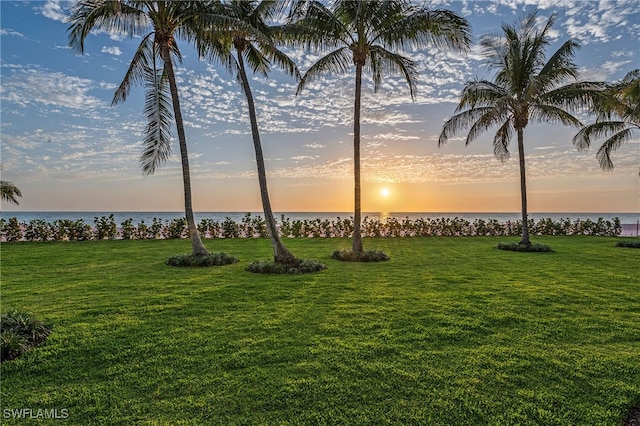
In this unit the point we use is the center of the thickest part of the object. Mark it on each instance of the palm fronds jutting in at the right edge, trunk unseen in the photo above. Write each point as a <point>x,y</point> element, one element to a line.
<point>622,101</point>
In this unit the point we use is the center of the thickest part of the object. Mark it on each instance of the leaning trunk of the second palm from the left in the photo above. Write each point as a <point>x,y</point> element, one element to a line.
<point>280,253</point>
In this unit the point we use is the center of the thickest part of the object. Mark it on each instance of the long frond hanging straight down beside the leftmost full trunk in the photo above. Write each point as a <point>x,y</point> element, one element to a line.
<point>159,116</point>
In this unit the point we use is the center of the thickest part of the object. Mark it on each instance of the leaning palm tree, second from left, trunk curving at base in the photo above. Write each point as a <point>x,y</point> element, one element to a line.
<point>243,38</point>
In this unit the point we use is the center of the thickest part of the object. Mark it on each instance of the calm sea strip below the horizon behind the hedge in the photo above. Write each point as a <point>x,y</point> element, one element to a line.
<point>137,217</point>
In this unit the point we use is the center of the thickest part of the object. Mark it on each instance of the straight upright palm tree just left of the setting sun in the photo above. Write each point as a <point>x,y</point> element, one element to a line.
<point>369,34</point>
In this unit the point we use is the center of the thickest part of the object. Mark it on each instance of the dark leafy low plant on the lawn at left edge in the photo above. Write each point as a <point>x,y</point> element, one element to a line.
<point>21,331</point>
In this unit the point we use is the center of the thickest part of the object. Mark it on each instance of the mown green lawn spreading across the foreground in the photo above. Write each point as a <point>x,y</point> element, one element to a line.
<point>450,331</point>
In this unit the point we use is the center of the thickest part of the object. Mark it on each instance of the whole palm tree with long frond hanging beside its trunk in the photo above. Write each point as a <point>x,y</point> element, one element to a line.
<point>157,23</point>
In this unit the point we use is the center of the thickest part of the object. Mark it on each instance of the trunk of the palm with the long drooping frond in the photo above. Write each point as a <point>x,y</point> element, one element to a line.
<point>197,248</point>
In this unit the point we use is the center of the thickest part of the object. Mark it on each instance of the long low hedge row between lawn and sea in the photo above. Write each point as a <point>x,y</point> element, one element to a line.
<point>254,227</point>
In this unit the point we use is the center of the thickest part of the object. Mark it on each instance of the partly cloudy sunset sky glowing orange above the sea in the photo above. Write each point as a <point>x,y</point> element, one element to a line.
<point>67,149</point>
